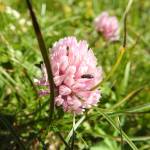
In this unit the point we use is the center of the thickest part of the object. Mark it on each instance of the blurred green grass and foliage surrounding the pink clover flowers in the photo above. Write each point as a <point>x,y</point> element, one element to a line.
<point>125,96</point>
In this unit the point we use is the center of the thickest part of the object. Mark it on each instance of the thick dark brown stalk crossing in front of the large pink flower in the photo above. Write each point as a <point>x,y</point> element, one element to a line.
<point>44,55</point>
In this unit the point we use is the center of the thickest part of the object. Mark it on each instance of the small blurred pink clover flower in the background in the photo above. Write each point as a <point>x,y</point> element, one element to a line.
<point>108,26</point>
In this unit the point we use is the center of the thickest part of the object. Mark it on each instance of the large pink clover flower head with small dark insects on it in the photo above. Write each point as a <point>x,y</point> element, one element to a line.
<point>75,72</point>
